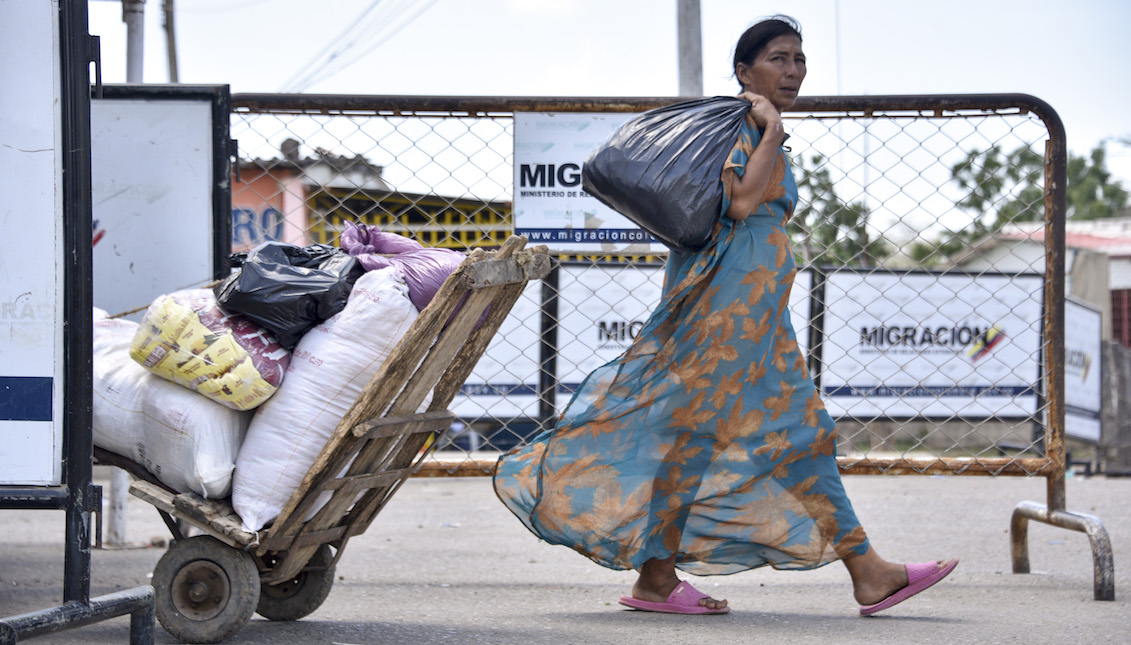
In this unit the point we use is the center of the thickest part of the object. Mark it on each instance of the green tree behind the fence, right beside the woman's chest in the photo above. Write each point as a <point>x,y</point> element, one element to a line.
<point>827,230</point>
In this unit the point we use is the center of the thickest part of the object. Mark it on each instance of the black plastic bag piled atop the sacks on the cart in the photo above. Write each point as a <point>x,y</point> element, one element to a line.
<point>289,289</point>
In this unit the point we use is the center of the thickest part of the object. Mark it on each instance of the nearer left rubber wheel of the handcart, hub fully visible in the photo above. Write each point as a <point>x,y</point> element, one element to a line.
<point>206,590</point>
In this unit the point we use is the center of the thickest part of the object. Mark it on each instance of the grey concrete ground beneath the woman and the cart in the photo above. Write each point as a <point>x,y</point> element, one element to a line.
<point>446,563</point>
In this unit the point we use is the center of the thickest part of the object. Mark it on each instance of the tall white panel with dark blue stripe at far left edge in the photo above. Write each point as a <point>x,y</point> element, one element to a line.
<point>31,223</point>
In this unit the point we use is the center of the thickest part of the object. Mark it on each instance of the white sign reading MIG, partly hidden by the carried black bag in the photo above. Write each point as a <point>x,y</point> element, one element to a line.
<point>550,207</point>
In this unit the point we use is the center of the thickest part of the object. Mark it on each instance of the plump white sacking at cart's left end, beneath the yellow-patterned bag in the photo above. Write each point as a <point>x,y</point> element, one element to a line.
<point>186,441</point>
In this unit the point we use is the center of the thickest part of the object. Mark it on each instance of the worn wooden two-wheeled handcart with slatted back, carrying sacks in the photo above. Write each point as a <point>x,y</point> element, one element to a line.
<point>210,586</point>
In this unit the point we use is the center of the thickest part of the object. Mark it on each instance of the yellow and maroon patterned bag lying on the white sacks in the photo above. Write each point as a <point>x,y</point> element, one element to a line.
<point>189,340</point>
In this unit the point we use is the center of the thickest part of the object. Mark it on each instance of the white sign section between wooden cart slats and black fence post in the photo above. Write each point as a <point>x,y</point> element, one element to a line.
<point>505,383</point>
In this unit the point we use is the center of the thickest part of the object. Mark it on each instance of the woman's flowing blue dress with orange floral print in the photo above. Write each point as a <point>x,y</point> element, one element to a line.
<point>706,438</point>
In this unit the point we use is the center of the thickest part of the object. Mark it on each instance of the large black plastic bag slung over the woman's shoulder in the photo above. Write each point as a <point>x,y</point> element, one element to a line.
<point>663,170</point>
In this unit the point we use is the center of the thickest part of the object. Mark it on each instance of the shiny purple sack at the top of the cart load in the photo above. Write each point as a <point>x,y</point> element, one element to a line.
<point>426,269</point>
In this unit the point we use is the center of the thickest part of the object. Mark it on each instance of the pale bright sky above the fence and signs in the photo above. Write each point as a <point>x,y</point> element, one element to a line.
<point>1073,55</point>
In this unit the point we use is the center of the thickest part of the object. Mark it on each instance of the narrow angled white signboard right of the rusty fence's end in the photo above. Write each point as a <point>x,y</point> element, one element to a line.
<point>1083,388</point>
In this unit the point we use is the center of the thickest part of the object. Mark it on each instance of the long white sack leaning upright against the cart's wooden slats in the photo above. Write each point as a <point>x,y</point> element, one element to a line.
<point>330,368</point>
